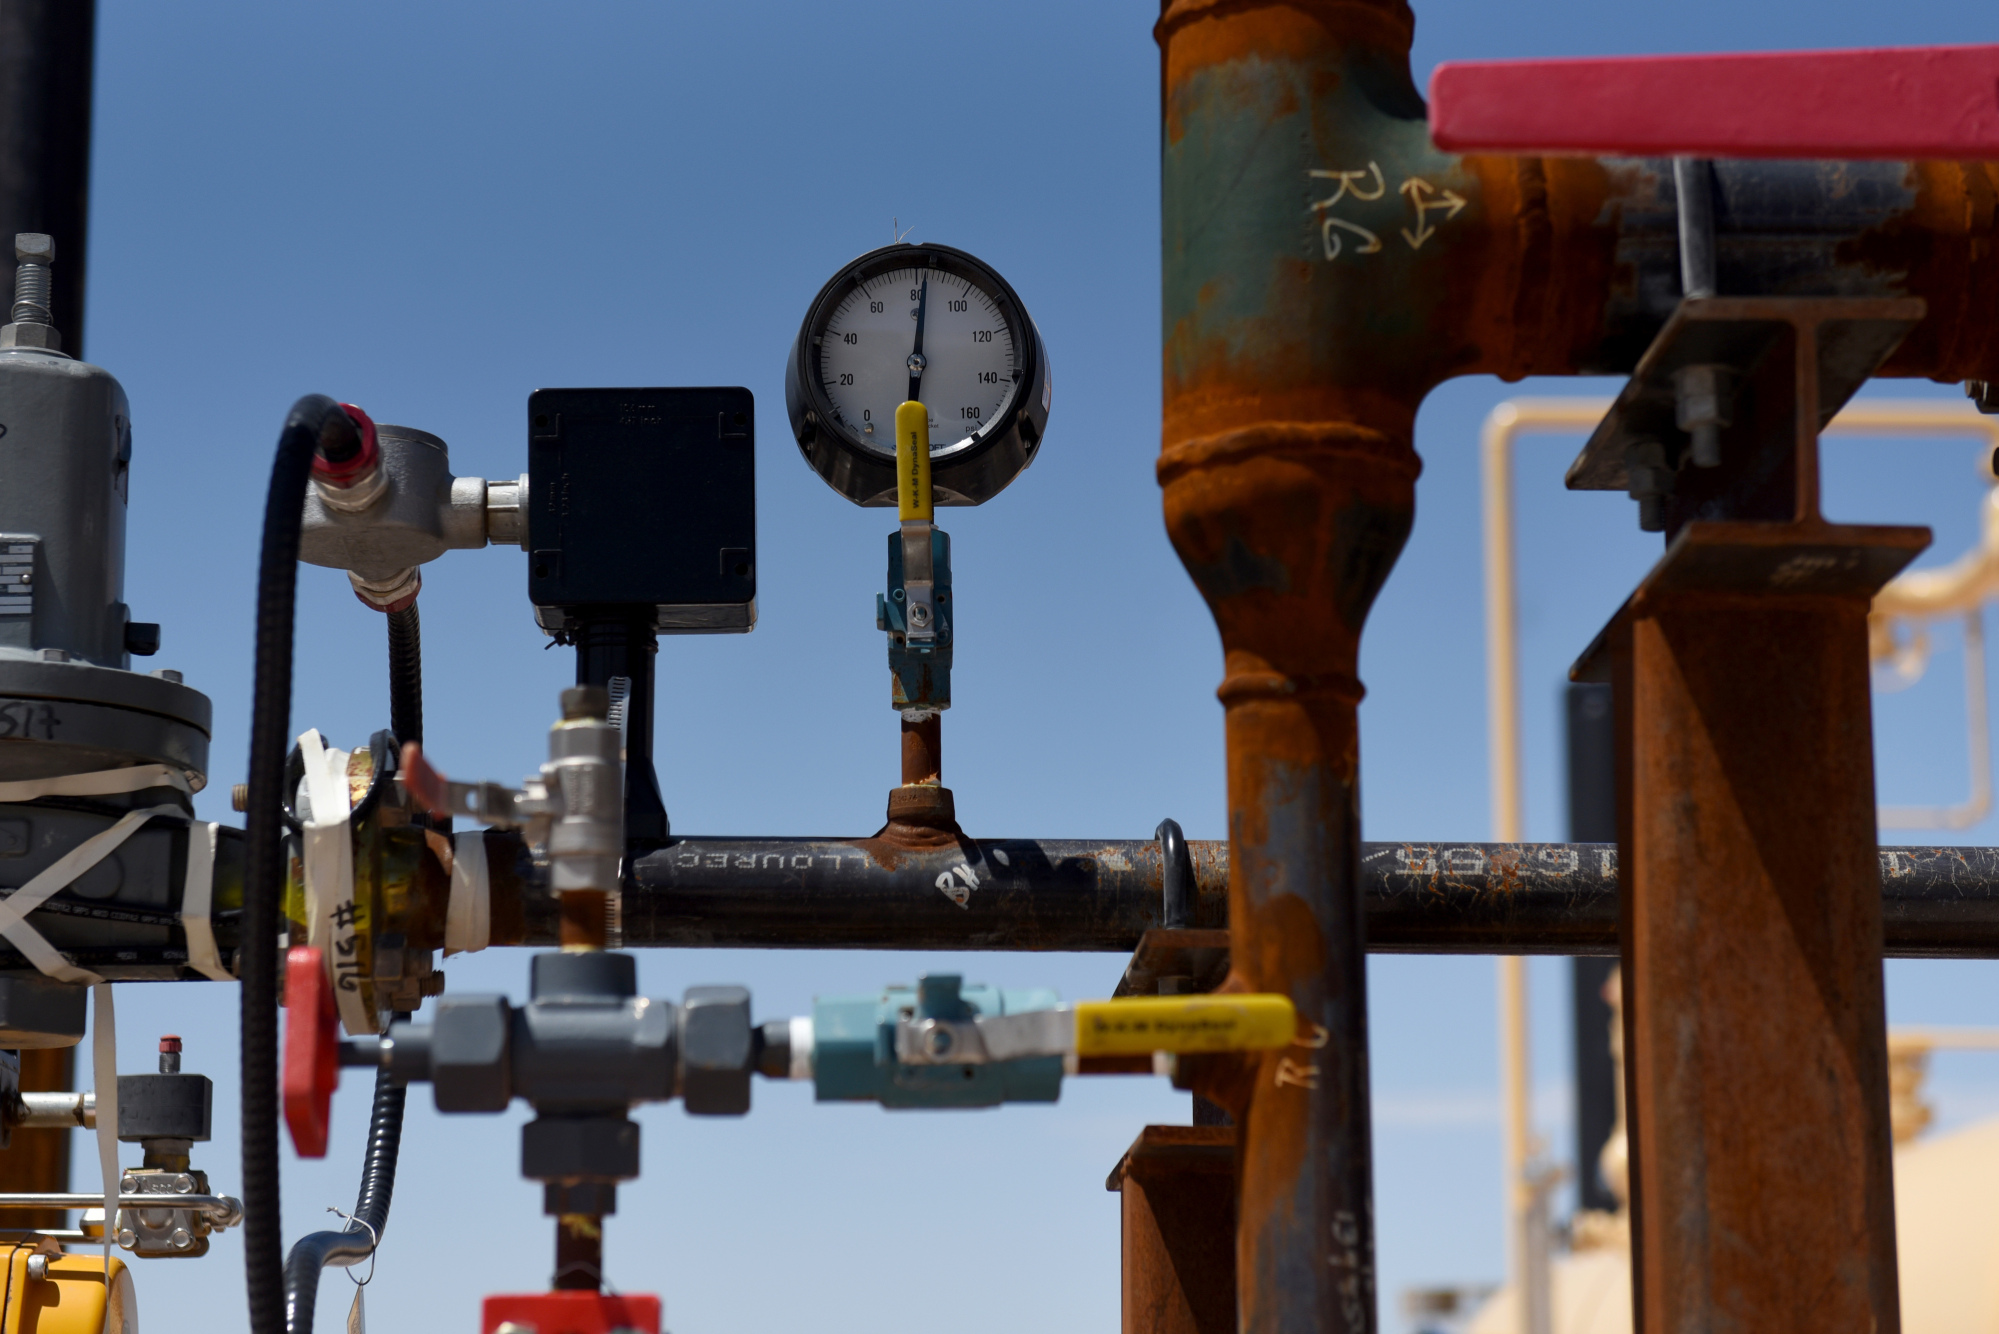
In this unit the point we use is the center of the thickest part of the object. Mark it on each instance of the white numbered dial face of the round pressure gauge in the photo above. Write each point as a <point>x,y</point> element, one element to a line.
<point>971,361</point>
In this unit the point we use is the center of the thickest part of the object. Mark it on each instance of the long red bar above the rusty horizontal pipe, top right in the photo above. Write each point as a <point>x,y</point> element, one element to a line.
<point>1900,103</point>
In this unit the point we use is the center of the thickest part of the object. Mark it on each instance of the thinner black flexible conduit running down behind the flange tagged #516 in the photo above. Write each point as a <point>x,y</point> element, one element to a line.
<point>363,1233</point>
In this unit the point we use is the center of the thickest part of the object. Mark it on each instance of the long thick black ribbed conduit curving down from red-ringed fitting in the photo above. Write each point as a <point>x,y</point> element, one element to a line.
<point>317,425</point>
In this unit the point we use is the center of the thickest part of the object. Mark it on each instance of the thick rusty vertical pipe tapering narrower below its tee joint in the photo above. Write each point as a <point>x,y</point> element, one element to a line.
<point>1288,497</point>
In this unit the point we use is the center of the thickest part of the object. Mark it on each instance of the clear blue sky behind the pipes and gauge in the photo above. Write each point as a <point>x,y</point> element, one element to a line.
<point>435,209</point>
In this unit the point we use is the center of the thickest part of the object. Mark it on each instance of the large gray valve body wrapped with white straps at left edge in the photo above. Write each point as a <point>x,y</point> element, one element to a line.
<point>69,701</point>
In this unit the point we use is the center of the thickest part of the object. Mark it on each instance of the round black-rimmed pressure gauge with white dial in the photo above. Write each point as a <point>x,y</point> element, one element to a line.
<point>929,325</point>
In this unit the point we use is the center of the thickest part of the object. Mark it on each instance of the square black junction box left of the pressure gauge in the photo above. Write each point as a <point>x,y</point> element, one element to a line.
<point>643,503</point>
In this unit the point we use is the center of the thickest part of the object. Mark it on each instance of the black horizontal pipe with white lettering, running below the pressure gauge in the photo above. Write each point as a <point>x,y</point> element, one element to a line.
<point>1072,895</point>
